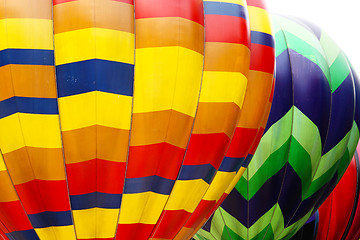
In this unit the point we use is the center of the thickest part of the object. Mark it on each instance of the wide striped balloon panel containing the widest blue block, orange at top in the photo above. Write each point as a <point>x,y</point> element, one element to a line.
<point>94,56</point>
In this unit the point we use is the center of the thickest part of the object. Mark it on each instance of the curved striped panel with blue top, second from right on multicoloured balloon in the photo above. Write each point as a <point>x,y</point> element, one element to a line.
<point>222,93</point>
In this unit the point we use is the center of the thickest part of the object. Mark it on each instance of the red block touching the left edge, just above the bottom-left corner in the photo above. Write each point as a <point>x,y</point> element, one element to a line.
<point>13,216</point>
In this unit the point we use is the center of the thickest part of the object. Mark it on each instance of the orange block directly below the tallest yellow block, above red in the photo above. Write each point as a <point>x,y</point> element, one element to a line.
<point>163,126</point>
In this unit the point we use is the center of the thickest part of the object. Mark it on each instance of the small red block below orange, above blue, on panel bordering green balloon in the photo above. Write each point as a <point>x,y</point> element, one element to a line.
<point>241,142</point>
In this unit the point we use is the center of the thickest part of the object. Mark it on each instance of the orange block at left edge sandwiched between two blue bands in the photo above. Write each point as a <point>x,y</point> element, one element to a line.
<point>28,81</point>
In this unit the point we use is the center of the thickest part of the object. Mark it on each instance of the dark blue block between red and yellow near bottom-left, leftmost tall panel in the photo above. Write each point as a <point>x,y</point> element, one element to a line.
<point>48,219</point>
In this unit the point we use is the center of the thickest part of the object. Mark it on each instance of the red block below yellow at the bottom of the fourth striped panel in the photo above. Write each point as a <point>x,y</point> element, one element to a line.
<point>171,223</point>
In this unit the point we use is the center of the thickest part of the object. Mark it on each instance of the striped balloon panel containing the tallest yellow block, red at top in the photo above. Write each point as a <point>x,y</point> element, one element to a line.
<point>168,74</point>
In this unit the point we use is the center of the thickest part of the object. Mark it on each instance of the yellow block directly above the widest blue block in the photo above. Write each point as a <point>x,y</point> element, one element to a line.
<point>90,43</point>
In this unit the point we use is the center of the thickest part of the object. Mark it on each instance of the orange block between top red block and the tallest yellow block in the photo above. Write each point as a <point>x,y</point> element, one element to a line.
<point>163,32</point>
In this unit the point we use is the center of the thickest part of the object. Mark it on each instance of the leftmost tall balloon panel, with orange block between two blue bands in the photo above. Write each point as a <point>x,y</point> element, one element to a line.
<point>31,140</point>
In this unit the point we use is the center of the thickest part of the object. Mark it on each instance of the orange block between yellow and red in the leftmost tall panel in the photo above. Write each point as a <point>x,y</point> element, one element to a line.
<point>27,163</point>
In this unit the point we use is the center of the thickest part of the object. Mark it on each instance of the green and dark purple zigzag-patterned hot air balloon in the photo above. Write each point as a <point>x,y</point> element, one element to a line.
<point>308,142</point>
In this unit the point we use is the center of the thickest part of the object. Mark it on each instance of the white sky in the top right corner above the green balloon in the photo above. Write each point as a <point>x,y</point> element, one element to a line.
<point>339,18</point>
